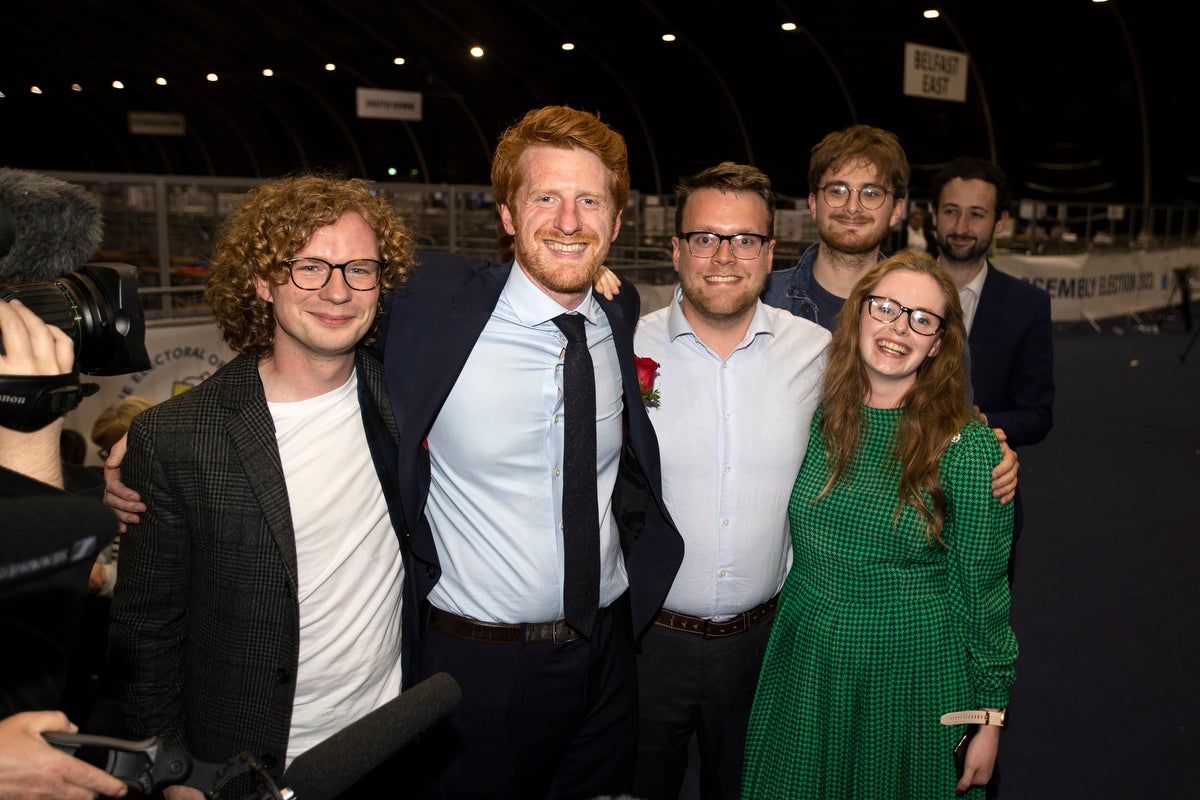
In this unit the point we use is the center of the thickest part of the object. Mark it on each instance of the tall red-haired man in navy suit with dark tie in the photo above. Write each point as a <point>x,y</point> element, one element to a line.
<point>475,363</point>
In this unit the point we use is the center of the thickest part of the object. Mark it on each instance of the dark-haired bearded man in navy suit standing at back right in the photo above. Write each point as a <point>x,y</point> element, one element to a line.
<point>1009,321</point>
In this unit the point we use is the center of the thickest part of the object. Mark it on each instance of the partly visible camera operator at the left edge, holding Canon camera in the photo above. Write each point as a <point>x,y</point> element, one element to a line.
<point>32,477</point>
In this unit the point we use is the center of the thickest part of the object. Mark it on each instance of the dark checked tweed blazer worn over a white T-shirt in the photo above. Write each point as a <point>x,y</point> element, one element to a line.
<point>206,616</point>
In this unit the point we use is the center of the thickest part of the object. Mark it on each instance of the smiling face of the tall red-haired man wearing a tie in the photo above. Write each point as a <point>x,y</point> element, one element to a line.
<point>563,220</point>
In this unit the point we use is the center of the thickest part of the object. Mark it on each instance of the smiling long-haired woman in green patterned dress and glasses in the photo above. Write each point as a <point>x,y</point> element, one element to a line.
<point>896,611</point>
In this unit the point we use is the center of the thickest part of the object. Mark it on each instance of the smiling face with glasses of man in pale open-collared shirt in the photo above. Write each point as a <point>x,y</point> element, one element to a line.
<point>722,290</point>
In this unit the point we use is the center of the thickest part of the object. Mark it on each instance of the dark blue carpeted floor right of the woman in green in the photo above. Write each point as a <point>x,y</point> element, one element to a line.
<point>1107,598</point>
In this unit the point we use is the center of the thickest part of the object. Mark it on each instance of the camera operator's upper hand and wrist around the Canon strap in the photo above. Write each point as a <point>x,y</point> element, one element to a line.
<point>33,348</point>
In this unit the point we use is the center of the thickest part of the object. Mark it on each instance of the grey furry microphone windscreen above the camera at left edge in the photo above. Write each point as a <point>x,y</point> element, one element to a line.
<point>57,226</point>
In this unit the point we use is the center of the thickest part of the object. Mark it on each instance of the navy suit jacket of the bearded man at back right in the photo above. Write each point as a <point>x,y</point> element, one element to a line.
<point>1012,358</point>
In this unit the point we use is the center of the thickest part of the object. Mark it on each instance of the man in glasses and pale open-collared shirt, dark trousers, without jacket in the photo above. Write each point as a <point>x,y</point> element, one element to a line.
<point>737,386</point>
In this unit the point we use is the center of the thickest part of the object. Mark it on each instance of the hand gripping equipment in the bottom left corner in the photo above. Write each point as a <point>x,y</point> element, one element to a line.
<point>31,768</point>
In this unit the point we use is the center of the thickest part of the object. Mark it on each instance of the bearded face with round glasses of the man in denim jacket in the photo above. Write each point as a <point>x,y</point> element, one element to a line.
<point>851,228</point>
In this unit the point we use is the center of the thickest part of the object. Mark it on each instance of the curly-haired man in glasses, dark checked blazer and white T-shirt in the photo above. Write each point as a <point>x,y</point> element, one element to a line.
<point>268,552</point>
